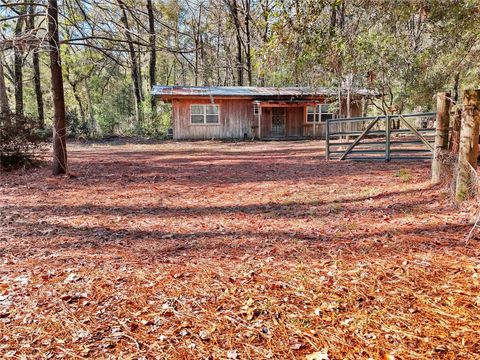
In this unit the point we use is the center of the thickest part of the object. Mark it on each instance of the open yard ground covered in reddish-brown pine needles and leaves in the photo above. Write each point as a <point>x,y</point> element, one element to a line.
<point>209,250</point>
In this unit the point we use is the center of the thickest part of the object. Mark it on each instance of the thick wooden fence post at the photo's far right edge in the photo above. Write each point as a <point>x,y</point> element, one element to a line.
<point>468,152</point>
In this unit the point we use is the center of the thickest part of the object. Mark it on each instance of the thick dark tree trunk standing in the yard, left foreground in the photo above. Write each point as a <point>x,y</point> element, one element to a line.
<point>59,136</point>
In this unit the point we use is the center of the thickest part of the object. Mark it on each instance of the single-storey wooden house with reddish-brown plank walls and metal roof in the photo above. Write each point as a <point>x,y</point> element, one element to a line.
<point>253,112</point>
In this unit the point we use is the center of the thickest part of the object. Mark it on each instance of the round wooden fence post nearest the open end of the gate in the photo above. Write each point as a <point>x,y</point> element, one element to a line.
<point>441,135</point>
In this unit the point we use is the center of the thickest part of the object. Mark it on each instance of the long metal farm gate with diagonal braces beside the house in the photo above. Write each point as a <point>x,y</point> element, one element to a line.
<point>384,138</point>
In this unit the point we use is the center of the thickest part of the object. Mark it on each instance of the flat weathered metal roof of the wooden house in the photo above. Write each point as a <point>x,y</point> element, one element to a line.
<point>250,91</point>
